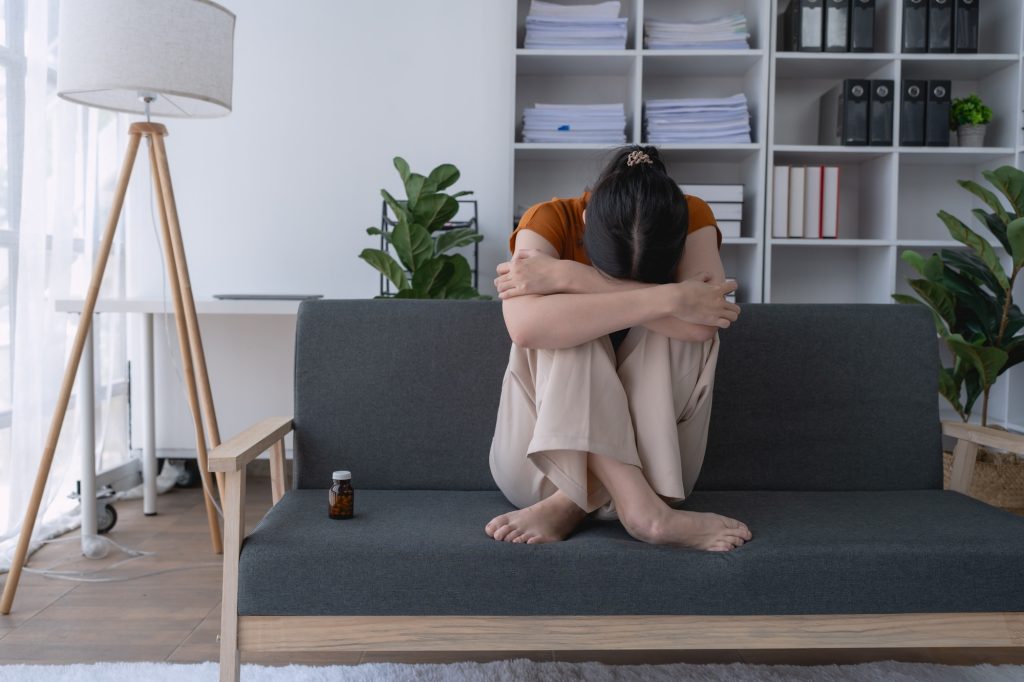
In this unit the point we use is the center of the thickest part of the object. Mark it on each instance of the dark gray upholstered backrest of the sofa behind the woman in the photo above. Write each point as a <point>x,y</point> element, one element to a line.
<point>405,394</point>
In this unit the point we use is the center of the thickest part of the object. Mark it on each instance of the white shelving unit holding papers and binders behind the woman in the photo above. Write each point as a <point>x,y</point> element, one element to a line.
<point>889,197</point>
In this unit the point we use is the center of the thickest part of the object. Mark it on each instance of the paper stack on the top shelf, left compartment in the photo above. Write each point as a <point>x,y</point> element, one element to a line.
<point>550,26</point>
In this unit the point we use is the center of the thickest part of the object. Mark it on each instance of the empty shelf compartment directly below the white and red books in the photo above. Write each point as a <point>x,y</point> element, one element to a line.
<point>832,276</point>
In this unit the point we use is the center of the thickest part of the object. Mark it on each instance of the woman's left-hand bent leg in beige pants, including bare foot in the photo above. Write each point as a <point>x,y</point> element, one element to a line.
<point>557,406</point>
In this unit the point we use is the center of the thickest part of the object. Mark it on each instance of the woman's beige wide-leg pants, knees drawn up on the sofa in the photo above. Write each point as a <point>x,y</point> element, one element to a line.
<point>648,405</point>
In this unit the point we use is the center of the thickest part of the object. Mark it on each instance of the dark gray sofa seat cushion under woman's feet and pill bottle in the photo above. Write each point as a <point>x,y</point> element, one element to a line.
<point>425,552</point>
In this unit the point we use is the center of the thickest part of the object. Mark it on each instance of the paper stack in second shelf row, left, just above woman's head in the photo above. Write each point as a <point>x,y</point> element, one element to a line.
<point>575,123</point>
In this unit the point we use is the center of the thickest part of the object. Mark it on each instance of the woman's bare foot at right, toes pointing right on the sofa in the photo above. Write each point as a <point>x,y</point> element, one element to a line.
<point>703,531</point>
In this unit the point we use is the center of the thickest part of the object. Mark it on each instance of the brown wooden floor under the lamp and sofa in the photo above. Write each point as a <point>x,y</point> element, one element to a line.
<point>176,616</point>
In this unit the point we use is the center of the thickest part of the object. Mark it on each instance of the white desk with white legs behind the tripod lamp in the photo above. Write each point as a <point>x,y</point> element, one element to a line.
<point>148,309</point>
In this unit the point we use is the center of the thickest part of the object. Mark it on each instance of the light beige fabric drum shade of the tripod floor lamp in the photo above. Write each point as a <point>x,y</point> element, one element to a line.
<point>111,52</point>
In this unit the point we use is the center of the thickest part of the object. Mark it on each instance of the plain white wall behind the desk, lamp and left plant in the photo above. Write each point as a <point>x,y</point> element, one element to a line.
<point>276,197</point>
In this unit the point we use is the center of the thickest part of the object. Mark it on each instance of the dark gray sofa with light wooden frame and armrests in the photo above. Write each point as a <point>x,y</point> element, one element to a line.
<point>826,441</point>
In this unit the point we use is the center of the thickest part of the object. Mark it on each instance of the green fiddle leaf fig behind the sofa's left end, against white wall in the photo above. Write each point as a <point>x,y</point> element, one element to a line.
<point>425,268</point>
